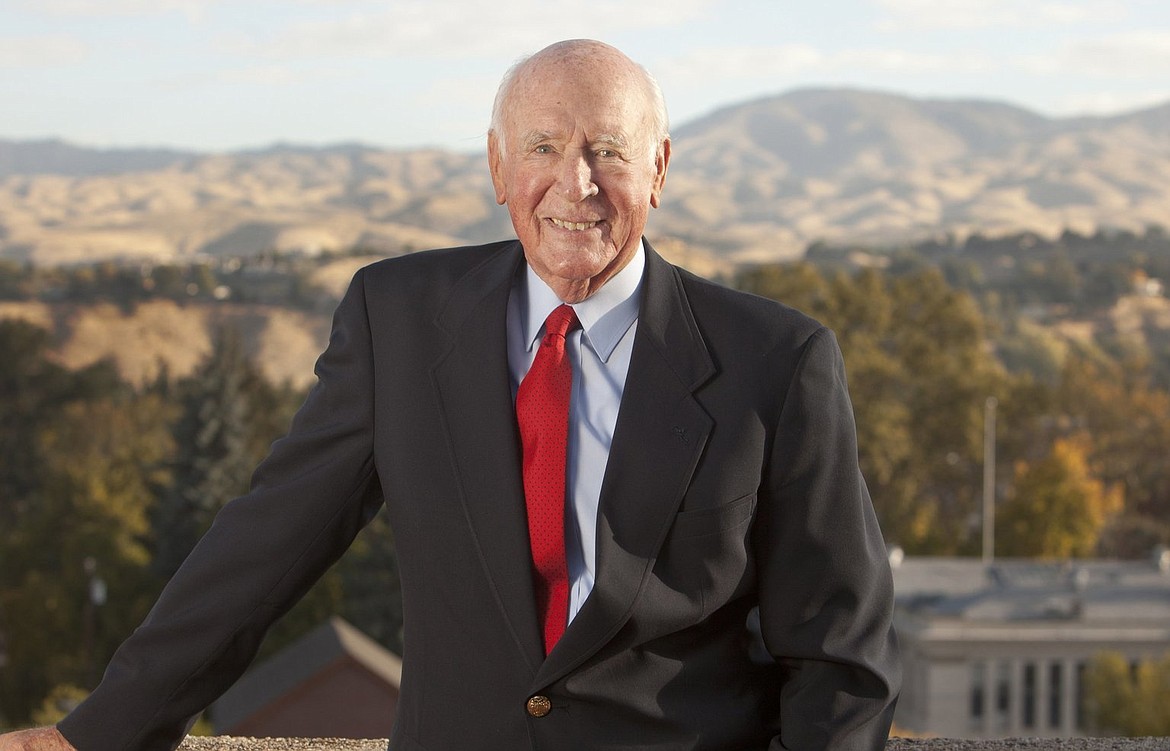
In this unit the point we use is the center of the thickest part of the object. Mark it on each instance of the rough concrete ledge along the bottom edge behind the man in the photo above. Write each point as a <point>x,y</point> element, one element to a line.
<point>225,743</point>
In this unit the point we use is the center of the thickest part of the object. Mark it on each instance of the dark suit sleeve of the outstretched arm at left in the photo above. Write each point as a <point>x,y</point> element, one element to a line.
<point>308,501</point>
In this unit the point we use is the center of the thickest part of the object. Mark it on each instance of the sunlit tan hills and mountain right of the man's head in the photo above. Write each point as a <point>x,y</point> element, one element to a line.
<point>766,178</point>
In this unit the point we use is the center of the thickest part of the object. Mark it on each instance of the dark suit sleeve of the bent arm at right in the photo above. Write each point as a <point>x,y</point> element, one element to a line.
<point>827,590</point>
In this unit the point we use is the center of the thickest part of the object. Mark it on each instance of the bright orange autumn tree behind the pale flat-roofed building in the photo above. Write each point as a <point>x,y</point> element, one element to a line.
<point>1058,508</point>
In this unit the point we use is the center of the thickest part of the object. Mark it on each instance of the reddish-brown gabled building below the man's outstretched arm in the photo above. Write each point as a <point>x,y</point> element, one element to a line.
<point>335,683</point>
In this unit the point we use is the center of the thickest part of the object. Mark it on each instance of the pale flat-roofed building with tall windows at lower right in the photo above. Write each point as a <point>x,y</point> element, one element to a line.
<point>996,652</point>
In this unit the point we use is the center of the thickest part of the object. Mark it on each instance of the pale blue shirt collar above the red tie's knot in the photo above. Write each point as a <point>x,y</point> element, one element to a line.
<point>605,316</point>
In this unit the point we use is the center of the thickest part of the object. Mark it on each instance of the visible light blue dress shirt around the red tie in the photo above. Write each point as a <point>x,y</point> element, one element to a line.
<point>600,352</point>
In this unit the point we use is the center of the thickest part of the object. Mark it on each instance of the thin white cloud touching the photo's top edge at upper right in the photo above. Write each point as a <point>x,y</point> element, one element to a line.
<point>987,15</point>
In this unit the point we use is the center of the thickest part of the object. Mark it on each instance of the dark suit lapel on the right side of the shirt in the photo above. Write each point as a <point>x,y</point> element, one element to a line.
<point>662,433</point>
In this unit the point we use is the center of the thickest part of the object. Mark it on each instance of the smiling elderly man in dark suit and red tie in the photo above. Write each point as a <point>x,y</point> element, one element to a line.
<point>601,471</point>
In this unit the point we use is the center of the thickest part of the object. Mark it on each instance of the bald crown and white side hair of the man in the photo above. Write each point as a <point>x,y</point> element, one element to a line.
<point>581,57</point>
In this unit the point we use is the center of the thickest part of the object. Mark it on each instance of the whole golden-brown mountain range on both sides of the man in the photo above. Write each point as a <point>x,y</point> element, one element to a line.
<point>755,182</point>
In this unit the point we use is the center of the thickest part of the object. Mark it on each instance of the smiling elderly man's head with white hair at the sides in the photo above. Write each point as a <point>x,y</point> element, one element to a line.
<point>579,151</point>
